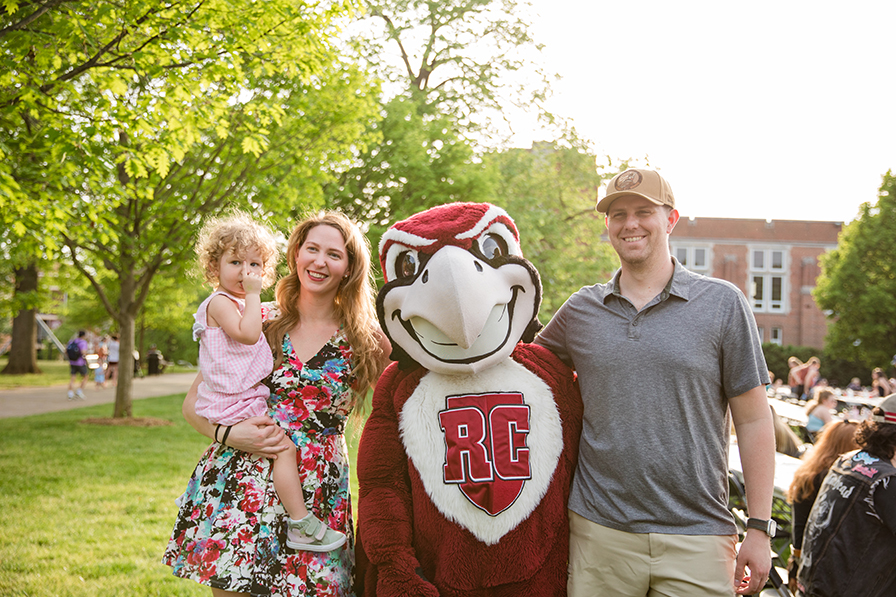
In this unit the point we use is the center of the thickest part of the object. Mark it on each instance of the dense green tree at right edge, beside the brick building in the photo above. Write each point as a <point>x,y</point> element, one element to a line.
<point>857,284</point>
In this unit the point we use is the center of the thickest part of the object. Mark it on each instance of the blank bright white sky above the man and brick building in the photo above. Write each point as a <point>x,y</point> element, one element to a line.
<point>777,110</point>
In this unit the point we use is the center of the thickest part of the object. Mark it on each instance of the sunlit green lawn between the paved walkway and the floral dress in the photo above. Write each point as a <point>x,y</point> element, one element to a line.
<point>86,510</point>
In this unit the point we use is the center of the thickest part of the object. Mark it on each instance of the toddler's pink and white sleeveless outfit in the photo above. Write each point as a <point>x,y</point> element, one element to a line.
<point>230,391</point>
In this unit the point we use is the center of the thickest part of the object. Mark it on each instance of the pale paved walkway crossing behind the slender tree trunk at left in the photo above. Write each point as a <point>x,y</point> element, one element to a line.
<point>21,402</point>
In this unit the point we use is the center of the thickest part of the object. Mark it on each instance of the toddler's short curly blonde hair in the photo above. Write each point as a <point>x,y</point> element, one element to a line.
<point>238,232</point>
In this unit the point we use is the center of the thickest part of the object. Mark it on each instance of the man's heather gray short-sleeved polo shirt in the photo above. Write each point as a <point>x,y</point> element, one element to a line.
<point>653,456</point>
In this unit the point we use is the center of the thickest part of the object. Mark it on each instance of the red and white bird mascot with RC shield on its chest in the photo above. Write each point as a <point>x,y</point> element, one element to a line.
<point>466,460</point>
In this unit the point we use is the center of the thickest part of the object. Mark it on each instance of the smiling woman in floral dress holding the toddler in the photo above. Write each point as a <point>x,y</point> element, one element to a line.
<point>328,351</point>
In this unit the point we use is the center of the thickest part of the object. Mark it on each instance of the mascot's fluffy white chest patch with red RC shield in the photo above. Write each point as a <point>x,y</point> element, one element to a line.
<point>485,445</point>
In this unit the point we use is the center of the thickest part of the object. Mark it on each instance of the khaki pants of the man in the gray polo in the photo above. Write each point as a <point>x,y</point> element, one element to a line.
<point>605,562</point>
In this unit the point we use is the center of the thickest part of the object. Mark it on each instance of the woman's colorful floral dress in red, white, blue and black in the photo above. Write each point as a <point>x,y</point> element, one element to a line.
<point>231,529</point>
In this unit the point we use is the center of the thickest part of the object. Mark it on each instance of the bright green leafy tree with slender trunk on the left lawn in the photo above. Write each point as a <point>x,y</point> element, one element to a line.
<point>135,120</point>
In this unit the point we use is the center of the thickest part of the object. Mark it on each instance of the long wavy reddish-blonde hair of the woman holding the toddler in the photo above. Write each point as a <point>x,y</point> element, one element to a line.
<point>354,303</point>
